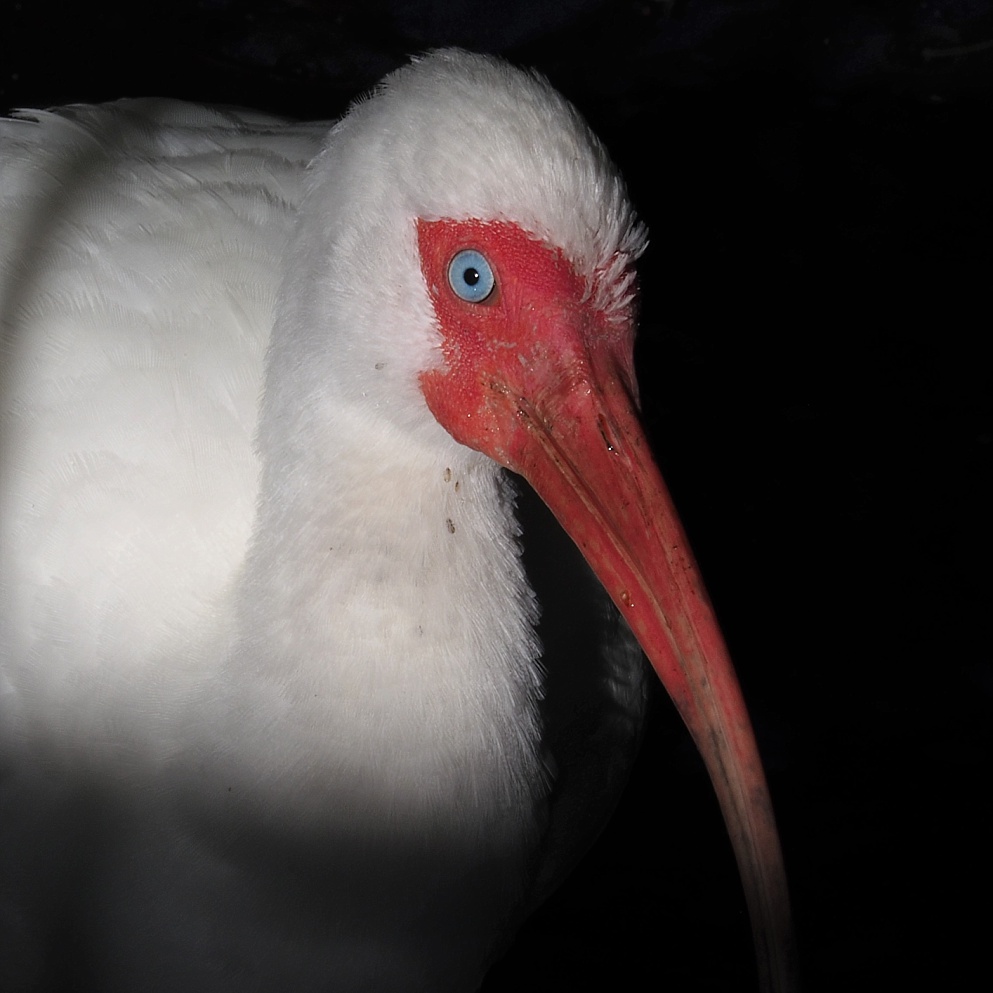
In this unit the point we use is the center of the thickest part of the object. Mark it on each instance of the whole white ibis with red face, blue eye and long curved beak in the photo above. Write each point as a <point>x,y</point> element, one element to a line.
<point>272,690</point>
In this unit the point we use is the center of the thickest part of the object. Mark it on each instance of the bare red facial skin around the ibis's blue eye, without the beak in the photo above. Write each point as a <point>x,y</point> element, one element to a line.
<point>535,333</point>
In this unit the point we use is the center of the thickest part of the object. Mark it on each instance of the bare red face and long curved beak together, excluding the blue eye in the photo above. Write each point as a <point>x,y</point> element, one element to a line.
<point>538,379</point>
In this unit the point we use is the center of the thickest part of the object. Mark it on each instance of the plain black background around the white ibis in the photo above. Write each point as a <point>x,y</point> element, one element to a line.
<point>815,323</point>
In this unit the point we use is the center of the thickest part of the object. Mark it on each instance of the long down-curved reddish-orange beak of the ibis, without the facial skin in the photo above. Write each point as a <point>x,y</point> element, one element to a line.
<point>587,457</point>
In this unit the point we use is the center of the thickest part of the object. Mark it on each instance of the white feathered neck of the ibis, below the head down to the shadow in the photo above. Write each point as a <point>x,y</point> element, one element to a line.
<point>387,630</point>
